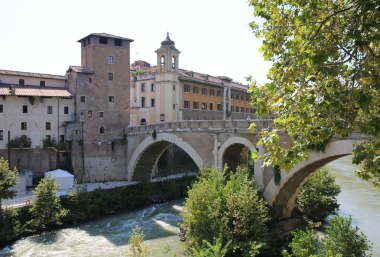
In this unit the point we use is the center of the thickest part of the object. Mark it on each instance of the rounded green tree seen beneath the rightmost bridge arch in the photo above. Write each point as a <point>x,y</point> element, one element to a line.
<point>317,197</point>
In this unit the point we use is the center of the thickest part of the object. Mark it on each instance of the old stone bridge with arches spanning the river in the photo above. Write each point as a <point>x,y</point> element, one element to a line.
<point>216,143</point>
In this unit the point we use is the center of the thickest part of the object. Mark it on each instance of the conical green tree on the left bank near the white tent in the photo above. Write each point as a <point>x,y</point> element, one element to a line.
<point>46,210</point>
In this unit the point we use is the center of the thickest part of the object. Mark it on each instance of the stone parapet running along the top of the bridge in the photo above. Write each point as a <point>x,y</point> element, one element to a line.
<point>200,125</point>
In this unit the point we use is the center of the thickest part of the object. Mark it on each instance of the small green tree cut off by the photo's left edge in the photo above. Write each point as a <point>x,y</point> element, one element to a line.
<point>8,178</point>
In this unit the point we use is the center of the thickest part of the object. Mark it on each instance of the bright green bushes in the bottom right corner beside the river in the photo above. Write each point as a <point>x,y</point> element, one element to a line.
<point>341,239</point>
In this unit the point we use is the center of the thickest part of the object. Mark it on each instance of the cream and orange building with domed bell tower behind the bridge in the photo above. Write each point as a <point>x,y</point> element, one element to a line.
<point>166,93</point>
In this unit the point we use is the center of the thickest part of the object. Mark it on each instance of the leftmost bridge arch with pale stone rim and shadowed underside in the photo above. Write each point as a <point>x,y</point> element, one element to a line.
<point>148,152</point>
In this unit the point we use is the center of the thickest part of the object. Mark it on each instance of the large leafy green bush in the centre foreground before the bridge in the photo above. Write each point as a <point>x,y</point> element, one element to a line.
<point>229,206</point>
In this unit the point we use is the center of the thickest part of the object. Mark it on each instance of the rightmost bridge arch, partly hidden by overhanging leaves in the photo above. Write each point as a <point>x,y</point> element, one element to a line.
<point>284,194</point>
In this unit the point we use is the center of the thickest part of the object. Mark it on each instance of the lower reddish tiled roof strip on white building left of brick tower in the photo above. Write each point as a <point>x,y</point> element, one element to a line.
<point>35,91</point>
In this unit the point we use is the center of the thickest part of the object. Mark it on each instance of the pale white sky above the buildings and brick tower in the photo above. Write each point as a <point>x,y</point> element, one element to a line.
<point>212,35</point>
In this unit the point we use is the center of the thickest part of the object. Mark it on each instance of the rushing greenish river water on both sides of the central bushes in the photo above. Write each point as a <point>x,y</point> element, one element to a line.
<point>109,236</point>
